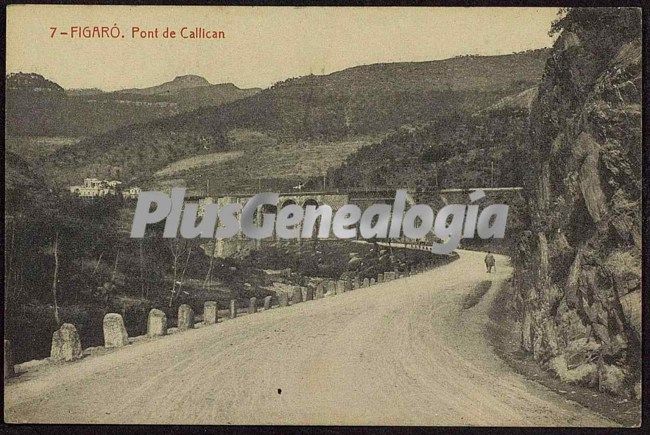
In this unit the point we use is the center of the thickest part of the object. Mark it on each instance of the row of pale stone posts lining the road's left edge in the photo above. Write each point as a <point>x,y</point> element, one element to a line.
<point>66,345</point>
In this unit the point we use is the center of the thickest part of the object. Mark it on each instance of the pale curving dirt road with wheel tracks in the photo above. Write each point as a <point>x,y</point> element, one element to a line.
<point>403,353</point>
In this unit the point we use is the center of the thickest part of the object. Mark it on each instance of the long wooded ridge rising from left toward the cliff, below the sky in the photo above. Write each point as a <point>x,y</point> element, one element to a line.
<point>361,102</point>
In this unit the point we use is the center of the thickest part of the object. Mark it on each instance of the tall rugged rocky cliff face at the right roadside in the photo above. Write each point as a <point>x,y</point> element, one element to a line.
<point>578,269</point>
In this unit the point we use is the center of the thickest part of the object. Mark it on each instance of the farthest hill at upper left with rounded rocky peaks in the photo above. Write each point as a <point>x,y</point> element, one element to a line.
<point>36,106</point>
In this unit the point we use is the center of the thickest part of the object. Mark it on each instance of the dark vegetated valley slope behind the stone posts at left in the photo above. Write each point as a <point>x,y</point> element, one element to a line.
<point>72,260</point>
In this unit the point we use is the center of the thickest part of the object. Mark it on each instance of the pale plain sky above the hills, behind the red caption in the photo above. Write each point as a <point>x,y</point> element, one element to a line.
<point>262,45</point>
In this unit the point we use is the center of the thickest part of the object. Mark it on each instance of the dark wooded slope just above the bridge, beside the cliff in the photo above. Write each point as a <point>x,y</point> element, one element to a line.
<point>454,151</point>
